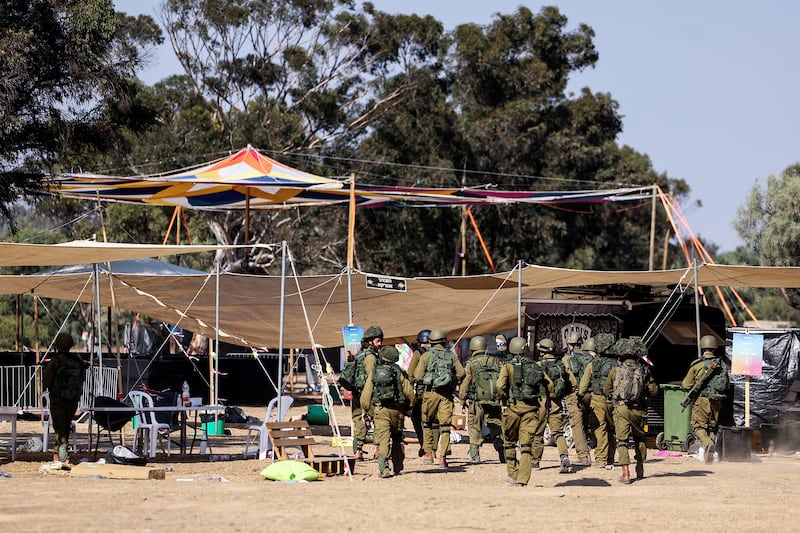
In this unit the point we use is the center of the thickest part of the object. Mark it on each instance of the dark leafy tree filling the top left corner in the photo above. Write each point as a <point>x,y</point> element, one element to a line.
<point>67,80</point>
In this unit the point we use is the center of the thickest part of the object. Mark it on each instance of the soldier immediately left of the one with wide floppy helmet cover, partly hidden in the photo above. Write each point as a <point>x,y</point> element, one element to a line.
<point>593,381</point>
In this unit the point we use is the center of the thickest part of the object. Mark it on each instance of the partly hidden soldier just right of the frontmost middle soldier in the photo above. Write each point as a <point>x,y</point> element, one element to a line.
<point>554,369</point>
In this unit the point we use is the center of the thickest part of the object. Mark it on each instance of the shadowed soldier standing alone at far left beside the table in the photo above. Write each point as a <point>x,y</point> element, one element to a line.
<point>63,377</point>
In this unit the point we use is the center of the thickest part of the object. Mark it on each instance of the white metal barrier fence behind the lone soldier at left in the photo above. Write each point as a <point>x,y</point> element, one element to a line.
<point>18,385</point>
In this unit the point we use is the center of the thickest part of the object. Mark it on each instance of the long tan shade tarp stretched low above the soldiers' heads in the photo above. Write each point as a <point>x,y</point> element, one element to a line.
<point>250,305</point>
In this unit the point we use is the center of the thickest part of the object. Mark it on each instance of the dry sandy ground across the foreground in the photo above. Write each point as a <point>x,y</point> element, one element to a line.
<point>678,494</point>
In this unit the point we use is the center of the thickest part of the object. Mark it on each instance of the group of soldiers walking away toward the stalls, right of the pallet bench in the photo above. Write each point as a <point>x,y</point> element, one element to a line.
<point>510,400</point>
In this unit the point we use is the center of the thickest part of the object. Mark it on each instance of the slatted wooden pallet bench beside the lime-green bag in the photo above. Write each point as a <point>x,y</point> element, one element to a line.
<point>297,434</point>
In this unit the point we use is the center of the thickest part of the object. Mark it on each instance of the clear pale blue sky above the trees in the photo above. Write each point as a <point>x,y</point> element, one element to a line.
<point>707,89</point>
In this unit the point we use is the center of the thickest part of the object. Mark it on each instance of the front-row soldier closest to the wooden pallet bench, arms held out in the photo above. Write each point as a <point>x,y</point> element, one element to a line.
<point>387,394</point>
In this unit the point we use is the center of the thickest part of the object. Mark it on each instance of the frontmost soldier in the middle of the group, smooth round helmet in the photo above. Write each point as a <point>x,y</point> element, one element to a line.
<point>524,389</point>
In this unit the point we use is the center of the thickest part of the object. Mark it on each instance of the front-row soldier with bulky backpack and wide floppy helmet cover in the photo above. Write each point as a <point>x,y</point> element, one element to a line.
<point>629,386</point>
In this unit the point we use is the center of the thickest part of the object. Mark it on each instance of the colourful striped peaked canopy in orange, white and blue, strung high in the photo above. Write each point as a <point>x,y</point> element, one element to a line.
<point>249,179</point>
